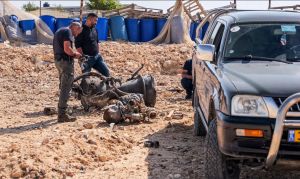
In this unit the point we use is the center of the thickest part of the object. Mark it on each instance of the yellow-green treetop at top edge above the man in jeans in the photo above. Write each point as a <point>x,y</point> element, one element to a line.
<point>103,4</point>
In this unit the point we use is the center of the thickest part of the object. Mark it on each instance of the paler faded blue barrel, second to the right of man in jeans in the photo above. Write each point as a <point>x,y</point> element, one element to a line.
<point>117,28</point>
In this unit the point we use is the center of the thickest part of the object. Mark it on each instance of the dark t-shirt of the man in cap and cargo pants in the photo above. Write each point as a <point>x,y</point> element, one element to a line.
<point>60,36</point>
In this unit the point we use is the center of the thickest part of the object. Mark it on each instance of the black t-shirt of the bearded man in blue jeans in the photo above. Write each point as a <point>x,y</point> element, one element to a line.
<point>88,41</point>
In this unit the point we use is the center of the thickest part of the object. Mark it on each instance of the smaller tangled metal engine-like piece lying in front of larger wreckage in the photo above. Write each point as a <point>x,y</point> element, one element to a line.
<point>130,107</point>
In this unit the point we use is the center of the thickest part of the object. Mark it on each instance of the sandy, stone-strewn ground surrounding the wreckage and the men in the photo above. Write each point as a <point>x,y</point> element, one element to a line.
<point>33,145</point>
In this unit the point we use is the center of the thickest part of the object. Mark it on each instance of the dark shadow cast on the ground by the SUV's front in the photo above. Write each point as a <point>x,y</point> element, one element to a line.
<point>181,153</point>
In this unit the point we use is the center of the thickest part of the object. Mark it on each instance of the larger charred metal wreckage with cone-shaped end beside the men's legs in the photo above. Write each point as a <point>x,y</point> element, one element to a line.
<point>97,93</point>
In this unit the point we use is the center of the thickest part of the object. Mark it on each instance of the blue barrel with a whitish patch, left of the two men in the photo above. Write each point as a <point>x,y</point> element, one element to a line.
<point>27,27</point>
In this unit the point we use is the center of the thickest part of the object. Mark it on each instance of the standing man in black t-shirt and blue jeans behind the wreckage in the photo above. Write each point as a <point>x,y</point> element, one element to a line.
<point>87,43</point>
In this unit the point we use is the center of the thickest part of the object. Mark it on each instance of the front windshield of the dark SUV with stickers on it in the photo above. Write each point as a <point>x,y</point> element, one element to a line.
<point>274,41</point>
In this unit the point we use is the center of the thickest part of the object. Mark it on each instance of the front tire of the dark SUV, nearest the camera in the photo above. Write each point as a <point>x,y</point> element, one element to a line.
<point>216,165</point>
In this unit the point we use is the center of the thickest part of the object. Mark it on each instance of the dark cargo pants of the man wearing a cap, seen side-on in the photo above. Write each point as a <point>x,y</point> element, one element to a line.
<point>66,78</point>
